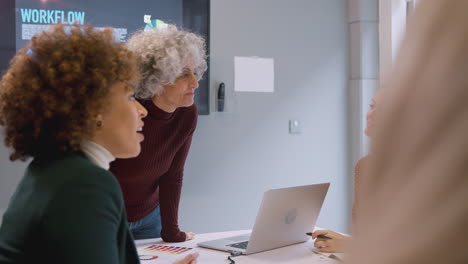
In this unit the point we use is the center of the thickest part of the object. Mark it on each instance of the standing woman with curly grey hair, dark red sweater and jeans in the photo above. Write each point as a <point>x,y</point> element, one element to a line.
<point>172,62</point>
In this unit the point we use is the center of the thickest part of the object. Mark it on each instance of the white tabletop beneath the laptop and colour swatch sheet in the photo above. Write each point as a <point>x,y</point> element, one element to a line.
<point>299,253</point>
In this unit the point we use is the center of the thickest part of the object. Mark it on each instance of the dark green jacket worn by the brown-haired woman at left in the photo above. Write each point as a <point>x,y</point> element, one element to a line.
<point>67,210</point>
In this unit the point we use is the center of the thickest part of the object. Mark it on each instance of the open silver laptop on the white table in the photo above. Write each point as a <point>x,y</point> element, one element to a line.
<point>284,218</point>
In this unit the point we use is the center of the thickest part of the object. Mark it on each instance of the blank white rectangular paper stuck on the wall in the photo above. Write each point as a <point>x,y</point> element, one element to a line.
<point>254,74</point>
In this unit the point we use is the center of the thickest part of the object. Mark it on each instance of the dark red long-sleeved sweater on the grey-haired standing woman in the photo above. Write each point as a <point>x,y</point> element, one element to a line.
<point>155,176</point>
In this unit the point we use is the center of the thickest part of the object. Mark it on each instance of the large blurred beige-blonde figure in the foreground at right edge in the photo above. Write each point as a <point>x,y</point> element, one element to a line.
<point>413,207</point>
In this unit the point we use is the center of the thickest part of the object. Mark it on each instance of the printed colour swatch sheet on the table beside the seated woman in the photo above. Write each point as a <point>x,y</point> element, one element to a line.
<point>160,253</point>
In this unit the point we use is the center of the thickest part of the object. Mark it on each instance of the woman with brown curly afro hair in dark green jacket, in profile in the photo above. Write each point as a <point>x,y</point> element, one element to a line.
<point>67,101</point>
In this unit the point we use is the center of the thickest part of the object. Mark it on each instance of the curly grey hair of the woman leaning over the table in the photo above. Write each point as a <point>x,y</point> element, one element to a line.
<point>163,55</point>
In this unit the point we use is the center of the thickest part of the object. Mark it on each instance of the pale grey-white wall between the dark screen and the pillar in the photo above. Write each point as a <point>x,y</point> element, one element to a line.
<point>238,155</point>
